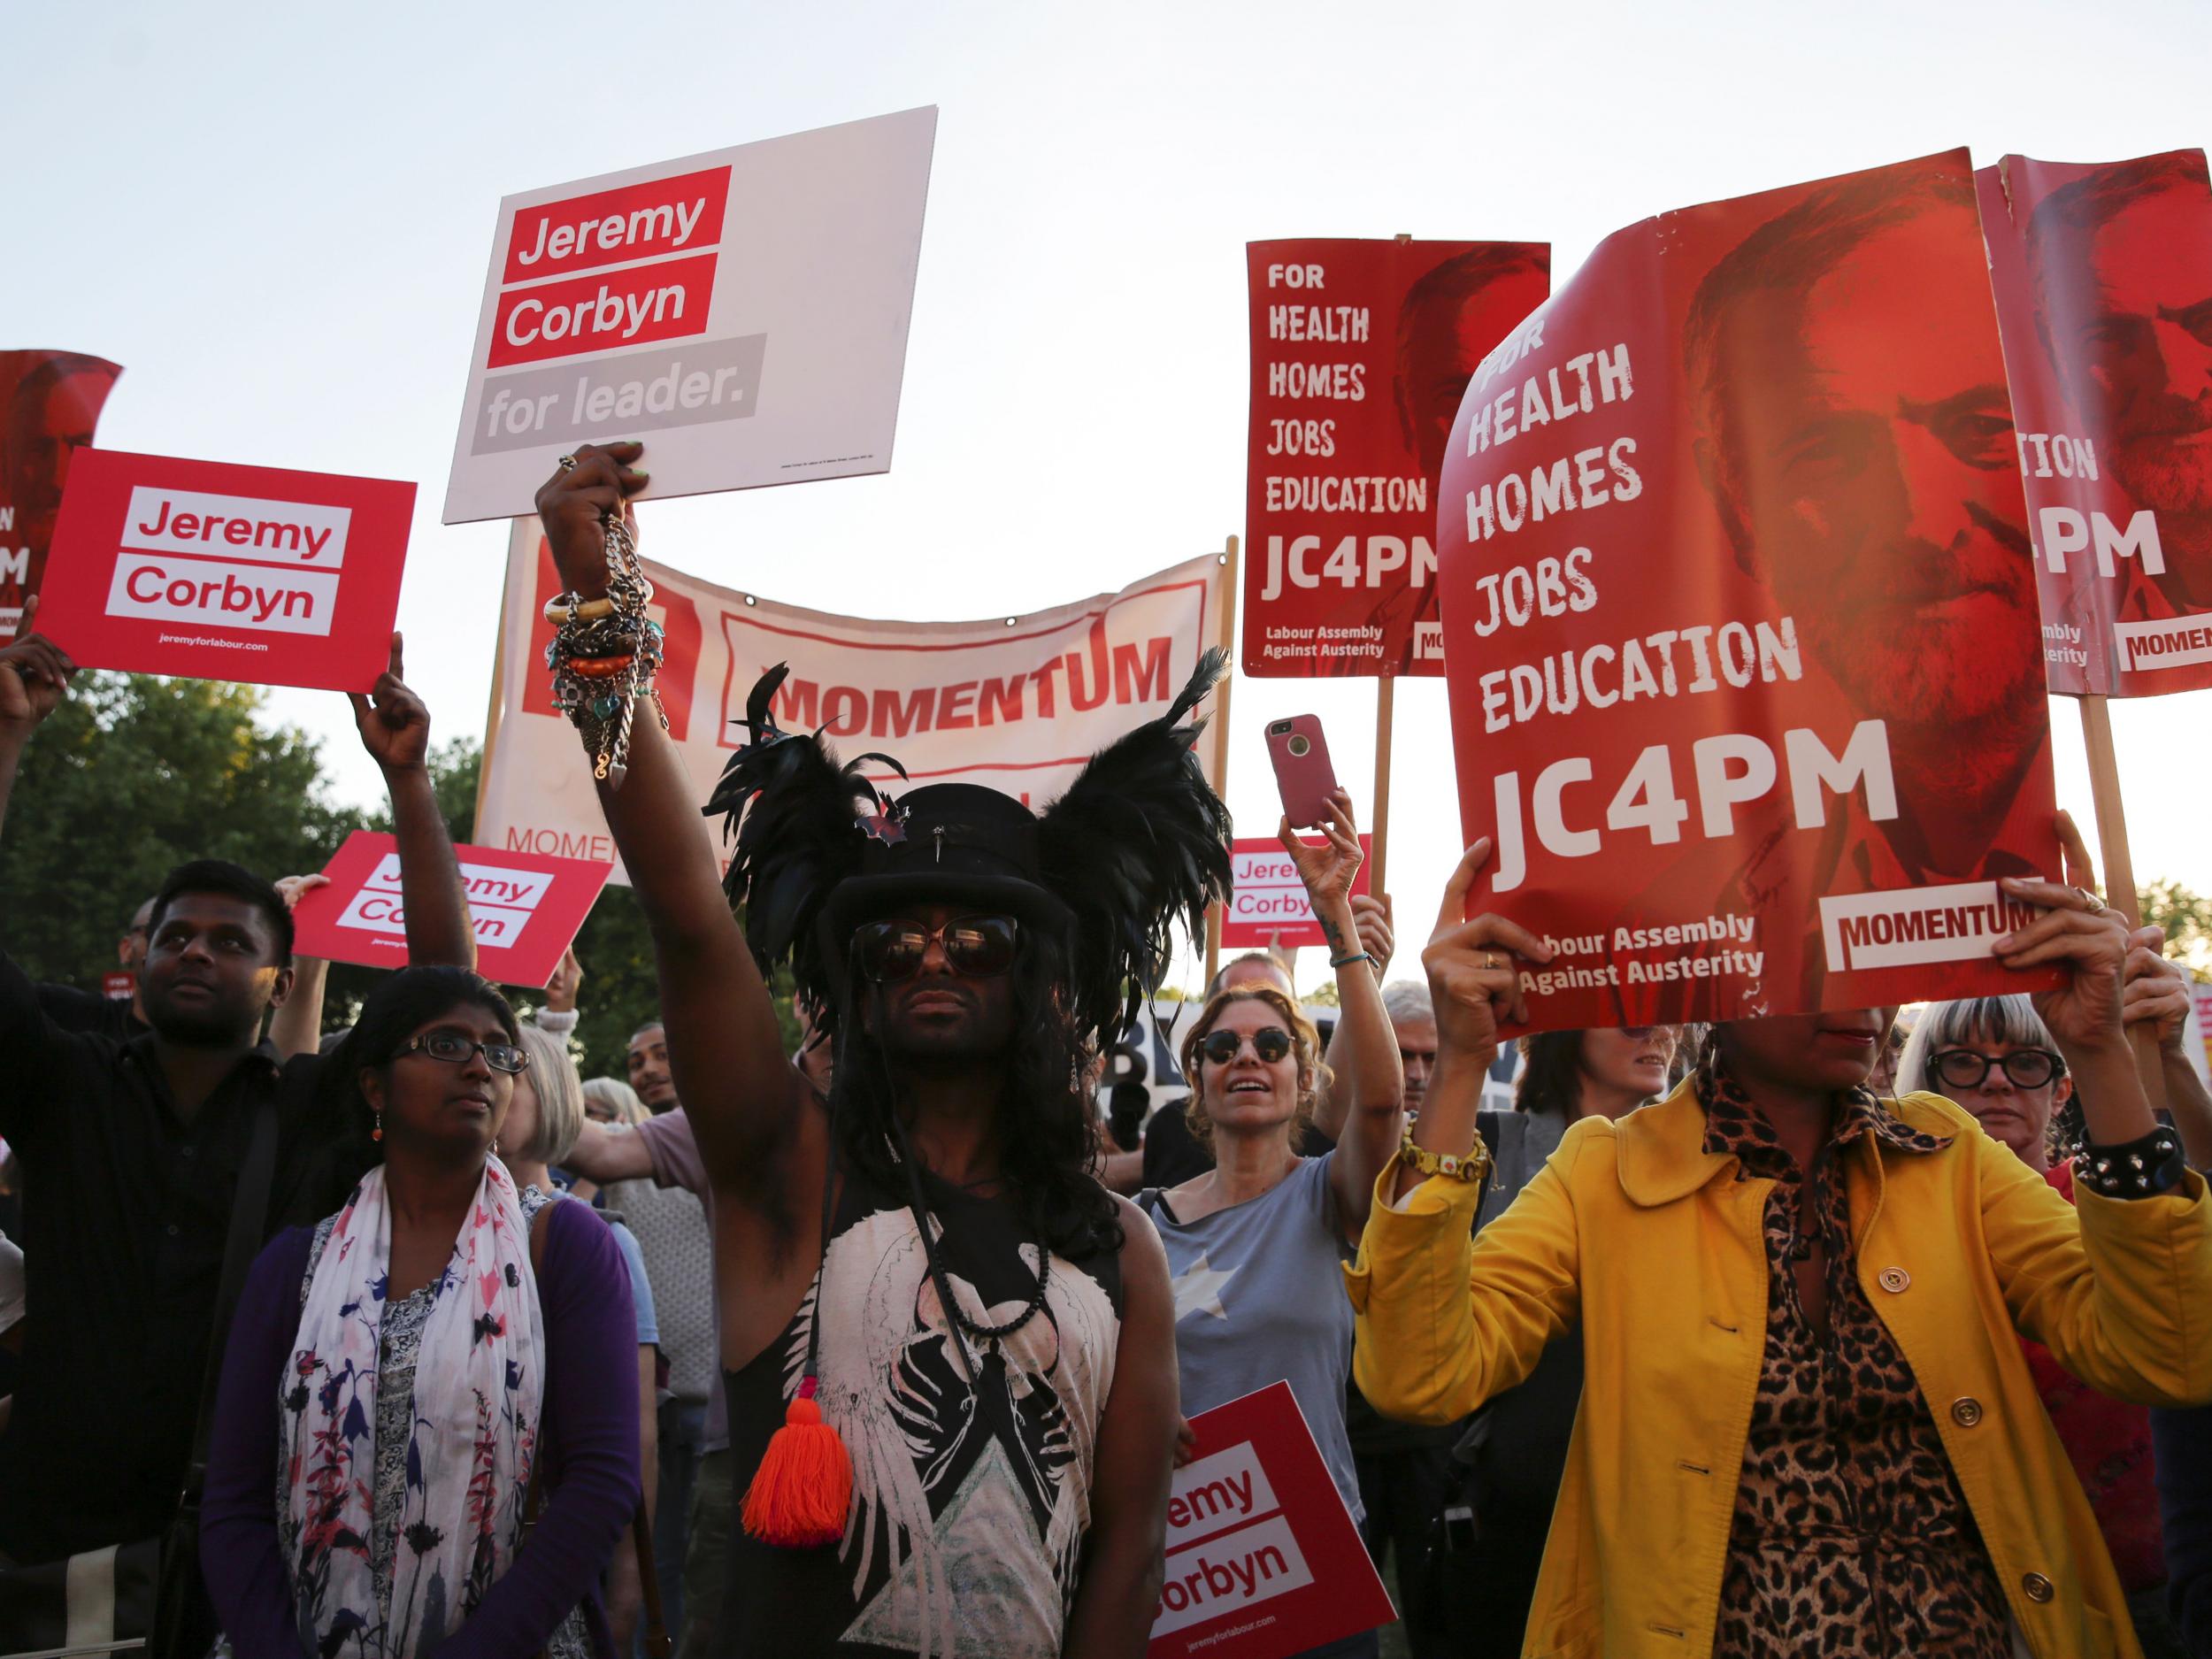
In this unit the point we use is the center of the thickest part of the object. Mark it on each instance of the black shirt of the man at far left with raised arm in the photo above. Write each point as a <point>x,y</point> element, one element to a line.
<point>127,1209</point>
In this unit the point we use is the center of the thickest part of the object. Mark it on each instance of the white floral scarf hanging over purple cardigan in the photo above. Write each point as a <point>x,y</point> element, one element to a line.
<point>477,1390</point>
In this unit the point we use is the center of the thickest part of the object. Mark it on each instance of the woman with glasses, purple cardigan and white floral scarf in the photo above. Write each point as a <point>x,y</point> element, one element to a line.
<point>424,1373</point>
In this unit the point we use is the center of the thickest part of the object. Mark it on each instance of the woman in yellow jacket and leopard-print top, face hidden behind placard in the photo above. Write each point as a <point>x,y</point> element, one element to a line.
<point>1806,1423</point>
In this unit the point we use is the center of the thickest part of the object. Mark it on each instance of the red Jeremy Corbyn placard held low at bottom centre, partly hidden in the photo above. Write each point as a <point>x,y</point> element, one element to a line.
<point>1262,1554</point>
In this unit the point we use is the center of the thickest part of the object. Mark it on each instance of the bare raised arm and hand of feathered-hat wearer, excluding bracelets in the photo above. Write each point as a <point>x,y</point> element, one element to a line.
<point>724,1043</point>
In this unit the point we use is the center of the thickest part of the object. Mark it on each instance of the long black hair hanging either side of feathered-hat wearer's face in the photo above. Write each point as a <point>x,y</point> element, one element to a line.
<point>1045,1123</point>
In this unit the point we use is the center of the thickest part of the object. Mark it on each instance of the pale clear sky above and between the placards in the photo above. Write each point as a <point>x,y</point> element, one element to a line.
<point>278,220</point>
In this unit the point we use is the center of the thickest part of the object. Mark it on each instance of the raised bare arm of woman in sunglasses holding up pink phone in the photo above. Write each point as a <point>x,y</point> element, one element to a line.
<point>1375,1087</point>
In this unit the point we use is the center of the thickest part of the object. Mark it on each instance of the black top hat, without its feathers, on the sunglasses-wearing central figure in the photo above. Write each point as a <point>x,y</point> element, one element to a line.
<point>950,844</point>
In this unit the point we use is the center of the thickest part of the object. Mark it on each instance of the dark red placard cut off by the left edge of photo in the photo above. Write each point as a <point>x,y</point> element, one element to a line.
<point>50,404</point>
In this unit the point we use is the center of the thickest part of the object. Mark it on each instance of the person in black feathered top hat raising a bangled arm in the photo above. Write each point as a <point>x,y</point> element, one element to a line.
<point>950,1353</point>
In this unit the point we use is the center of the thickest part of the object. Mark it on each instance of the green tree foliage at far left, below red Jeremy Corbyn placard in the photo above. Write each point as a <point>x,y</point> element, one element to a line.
<point>132,778</point>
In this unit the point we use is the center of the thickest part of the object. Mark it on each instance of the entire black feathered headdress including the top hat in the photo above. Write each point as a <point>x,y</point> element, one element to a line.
<point>1138,844</point>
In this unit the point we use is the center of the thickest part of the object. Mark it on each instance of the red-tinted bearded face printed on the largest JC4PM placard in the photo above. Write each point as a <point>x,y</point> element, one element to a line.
<point>1857,441</point>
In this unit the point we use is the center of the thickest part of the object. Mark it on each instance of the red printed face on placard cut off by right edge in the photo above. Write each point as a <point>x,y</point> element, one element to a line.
<point>2122,271</point>
